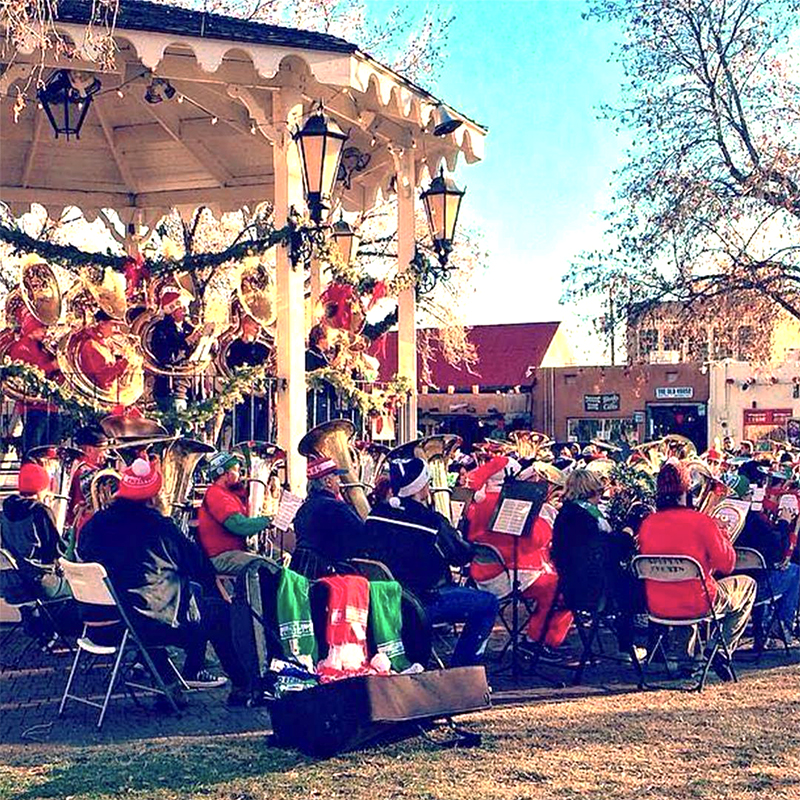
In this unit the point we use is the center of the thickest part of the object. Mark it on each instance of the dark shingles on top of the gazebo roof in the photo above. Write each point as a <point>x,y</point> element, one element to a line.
<point>139,15</point>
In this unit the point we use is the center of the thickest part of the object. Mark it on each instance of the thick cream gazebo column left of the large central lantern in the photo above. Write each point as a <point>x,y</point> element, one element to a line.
<point>287,105</point>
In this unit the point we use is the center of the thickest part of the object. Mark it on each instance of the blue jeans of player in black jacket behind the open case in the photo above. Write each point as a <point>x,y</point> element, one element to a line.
<point>473,607</point>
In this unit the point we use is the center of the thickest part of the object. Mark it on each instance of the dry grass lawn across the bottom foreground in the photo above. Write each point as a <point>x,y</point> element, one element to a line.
<point>731,742</point>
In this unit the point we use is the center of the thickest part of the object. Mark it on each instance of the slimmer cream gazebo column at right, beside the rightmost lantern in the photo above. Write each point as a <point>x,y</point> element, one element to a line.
<point>407,305</point>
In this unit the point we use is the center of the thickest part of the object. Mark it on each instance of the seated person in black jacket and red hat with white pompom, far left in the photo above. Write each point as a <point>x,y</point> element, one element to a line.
<point>164,582</point>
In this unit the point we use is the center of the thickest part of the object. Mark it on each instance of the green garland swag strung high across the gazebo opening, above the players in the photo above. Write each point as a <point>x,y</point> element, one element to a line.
<point>73,258</point>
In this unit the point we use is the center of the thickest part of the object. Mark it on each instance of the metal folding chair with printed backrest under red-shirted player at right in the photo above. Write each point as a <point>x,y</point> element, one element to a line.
<point>675,569</point>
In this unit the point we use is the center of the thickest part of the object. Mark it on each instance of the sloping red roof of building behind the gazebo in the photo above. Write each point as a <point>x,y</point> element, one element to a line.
<point>507,356</point>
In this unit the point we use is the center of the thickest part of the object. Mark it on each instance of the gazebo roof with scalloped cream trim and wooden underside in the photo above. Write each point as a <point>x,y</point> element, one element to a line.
<point>142,159</point>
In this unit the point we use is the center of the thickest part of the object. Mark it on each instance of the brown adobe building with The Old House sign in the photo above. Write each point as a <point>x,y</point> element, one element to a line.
<point>616,403</point>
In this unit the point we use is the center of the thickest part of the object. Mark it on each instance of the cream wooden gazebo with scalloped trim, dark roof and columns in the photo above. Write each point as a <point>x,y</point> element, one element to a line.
<point>199,109</point>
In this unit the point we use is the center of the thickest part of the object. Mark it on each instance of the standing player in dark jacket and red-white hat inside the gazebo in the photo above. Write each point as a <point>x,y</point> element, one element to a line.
<point>171,344</point>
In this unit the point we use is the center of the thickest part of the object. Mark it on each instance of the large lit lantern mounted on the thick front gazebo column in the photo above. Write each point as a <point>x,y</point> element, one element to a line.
<point>320,142</point>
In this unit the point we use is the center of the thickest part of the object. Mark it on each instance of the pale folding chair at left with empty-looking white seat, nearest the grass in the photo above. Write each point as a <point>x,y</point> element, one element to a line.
<point>90,584</point>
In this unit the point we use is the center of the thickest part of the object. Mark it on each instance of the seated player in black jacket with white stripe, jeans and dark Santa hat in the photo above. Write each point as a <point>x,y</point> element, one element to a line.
<point>419,545</point>
